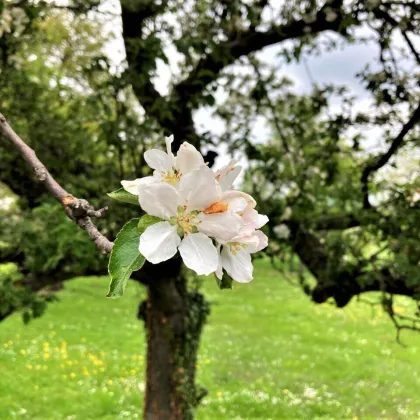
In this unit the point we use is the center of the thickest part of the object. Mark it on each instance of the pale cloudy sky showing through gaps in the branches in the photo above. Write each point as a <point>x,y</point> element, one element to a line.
<point>337,67</point>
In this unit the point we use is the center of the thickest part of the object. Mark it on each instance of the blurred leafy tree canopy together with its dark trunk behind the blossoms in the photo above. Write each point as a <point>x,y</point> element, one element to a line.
<point>347,210</point>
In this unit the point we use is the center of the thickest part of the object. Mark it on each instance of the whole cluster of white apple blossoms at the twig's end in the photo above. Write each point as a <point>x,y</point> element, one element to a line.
<point>212,226</point>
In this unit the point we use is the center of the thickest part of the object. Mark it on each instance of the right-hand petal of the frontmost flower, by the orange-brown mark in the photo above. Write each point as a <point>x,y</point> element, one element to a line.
<point>222,226</point>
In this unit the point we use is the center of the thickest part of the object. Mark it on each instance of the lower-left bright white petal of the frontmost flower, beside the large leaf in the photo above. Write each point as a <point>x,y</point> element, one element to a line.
<point>159,242</point>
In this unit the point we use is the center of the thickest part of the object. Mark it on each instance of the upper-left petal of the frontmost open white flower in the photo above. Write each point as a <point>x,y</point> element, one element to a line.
<point>158,199</point>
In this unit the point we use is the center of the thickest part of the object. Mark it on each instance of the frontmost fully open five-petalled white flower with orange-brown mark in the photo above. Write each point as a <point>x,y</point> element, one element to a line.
<point>189,212</point>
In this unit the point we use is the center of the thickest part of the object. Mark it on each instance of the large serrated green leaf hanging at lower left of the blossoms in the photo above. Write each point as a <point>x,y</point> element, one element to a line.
<point>125,258</point>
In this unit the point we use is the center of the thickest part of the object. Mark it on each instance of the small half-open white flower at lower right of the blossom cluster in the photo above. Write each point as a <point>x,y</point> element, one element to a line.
<point>235,256</point>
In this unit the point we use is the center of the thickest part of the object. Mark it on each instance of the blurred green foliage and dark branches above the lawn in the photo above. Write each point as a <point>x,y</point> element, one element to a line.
<point>81,114</point>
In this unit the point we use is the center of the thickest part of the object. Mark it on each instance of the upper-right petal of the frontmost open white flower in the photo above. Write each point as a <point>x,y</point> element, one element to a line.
<point>198,189</point>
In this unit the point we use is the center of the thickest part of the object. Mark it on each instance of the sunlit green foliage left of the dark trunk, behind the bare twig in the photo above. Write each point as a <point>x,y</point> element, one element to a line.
<point>57,92</point>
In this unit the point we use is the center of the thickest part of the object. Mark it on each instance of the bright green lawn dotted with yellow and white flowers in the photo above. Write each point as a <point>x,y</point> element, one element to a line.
<point>267,353</point>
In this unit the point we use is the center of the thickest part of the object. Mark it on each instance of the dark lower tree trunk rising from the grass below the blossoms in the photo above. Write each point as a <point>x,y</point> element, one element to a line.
<point>174,320</point>
